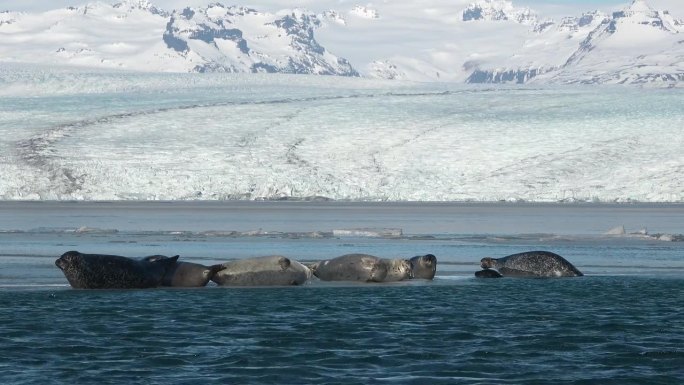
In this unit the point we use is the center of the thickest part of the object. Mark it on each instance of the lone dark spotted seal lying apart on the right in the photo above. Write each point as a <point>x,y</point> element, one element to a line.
<point>532,264</point>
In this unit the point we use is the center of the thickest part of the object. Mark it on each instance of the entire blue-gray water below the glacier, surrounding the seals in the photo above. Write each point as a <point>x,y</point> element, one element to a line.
<point>622,323</point>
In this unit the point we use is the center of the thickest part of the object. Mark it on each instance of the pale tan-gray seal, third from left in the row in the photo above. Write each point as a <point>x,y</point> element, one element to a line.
<point>272,270</point>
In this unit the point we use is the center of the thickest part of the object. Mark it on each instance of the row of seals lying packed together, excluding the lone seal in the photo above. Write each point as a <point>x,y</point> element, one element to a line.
<point>100,271</point>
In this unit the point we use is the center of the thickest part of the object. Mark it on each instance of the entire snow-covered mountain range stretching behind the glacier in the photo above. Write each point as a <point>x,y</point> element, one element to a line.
<point>481,41</point>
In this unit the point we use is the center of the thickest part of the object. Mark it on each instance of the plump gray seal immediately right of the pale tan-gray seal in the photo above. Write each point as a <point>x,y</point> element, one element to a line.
<point>351,267</point>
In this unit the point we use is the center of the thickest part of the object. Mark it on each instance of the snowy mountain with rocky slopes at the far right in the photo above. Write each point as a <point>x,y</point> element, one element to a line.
<point>636,45</point>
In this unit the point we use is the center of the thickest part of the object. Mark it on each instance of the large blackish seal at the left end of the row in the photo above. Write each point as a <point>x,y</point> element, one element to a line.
<point>101,271</point>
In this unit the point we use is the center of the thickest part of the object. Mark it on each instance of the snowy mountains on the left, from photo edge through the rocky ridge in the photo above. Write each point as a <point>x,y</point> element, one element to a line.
<point>138,35</point>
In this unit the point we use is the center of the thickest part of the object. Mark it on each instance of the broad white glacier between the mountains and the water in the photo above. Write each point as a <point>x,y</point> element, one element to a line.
<point>92,134</point>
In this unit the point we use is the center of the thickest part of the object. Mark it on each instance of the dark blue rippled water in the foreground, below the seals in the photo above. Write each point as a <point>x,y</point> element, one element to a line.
<point>593,330</point>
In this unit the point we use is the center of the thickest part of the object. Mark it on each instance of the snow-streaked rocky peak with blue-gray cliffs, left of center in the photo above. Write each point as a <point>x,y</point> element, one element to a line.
<point>238,39</point>
